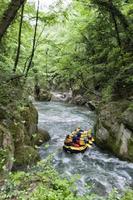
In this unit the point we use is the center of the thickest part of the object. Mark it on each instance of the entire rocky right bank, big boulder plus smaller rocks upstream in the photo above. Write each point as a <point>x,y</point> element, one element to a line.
<point>114,127</point>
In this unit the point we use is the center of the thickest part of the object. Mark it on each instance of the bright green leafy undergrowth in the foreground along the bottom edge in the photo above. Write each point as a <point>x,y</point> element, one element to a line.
<point>42,183</point>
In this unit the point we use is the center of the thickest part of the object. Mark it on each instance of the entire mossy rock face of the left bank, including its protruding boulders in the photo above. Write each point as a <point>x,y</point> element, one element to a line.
<point>18,138</point>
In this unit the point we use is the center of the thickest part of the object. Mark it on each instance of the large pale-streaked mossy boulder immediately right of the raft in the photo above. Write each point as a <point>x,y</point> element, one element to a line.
<point>114,129</point>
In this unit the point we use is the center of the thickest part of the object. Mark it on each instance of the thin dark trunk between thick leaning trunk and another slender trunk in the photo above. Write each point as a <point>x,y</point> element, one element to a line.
<point>19,40</point>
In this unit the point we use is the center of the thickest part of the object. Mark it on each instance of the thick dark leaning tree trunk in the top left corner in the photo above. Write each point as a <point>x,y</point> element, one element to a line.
<point>9,15</point>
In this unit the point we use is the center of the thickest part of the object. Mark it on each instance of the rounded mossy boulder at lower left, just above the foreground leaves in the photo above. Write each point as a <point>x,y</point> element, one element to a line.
<point>25,155</point>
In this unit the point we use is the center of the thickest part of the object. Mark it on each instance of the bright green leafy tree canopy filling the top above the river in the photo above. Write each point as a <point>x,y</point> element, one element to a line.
<point>76,46</point>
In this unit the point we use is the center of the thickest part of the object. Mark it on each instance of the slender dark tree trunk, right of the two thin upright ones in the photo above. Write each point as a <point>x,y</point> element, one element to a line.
<point>34,42</point>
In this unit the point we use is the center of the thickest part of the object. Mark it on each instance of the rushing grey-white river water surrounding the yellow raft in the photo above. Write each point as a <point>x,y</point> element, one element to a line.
<point>94,167</point>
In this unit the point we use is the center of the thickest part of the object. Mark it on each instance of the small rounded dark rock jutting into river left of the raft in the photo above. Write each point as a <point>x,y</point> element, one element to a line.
<point>40,137</point>
